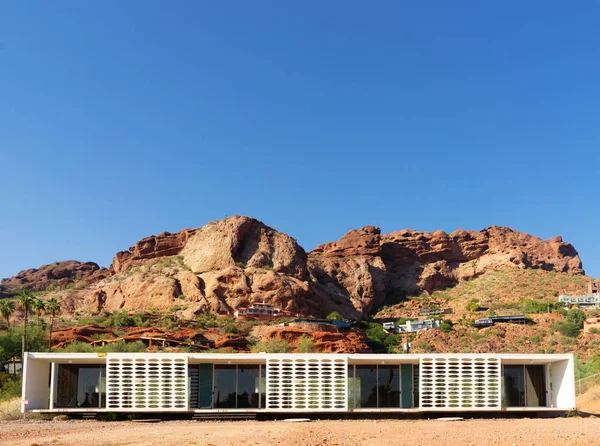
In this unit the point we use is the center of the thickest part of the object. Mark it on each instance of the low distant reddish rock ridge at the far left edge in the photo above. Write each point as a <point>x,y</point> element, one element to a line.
<point>54,276</point>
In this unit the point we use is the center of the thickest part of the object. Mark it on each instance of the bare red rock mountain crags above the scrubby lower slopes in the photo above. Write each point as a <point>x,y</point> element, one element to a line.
<point>234,262</point>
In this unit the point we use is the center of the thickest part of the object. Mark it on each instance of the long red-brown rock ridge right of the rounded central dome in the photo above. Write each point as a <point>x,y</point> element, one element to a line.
<point>369,267</point>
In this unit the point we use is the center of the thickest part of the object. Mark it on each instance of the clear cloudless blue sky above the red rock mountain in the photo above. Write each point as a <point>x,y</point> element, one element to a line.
<point>119,120</point>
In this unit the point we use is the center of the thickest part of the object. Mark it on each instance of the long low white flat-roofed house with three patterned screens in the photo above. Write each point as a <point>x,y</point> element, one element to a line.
<point>297,383</point>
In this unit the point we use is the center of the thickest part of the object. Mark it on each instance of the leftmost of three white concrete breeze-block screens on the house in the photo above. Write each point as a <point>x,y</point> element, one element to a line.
<point>148,382</point>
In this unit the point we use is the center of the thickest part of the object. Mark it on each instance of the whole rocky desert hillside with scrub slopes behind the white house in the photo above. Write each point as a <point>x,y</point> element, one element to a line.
<point>195,280</point>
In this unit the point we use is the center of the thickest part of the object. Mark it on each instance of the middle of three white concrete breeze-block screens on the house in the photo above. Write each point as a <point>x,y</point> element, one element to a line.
<point>307,383</point>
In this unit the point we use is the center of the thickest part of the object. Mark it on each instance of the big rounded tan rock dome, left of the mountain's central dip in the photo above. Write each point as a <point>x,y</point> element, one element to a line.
<point>220,267</point>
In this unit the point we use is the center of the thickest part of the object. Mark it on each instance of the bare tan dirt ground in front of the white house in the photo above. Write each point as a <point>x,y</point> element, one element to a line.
<point>562,431</point>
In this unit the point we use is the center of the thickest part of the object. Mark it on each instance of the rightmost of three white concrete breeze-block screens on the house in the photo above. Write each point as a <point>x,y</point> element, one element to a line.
<point>460,383</point>
